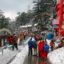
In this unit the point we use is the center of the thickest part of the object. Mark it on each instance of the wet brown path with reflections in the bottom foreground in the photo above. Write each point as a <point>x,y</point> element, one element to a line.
<point>35,60</point>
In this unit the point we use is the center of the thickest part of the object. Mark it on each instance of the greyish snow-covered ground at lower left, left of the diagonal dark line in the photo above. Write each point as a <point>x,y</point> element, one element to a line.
<point>7,56</point>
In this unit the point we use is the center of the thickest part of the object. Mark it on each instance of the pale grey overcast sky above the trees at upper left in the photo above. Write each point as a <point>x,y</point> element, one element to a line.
<point>11,7</point>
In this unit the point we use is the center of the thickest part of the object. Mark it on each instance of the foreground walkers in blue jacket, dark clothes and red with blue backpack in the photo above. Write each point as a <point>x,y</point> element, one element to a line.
<point>41,46</point>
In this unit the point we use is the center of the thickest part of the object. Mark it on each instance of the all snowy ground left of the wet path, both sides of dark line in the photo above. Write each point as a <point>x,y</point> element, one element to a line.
<point>9,55</point>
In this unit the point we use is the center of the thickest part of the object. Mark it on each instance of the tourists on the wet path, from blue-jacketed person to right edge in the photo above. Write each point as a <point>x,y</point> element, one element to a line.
<point>44,46</point>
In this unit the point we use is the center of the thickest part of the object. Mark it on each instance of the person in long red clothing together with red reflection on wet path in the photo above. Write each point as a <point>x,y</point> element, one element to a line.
<point>41,51</point>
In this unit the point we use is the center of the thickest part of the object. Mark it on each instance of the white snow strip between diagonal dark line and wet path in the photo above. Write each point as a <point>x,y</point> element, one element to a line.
<point>20,57</point>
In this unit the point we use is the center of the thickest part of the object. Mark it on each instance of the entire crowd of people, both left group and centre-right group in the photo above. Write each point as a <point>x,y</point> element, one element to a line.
<point>39,45</point>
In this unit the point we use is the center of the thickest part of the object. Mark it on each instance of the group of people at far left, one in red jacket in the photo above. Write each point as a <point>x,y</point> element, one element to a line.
<point>6,40</point>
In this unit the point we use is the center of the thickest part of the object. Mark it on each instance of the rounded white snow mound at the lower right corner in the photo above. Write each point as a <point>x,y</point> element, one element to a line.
<point>57,56</point>
